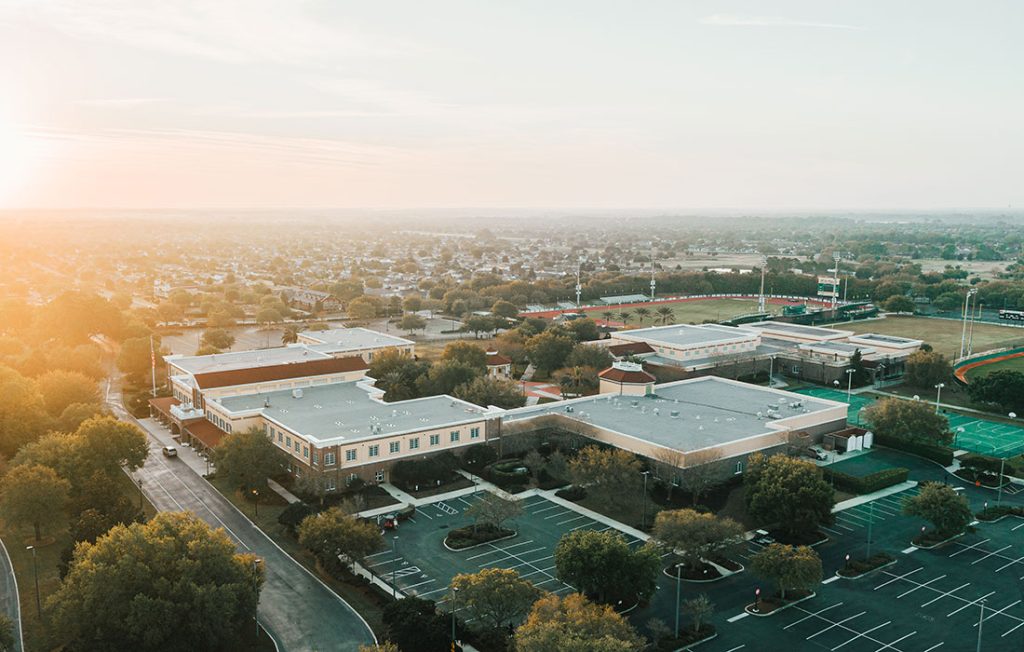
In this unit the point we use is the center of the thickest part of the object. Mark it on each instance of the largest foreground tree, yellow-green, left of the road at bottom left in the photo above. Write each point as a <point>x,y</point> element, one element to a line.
<point>170,585</point>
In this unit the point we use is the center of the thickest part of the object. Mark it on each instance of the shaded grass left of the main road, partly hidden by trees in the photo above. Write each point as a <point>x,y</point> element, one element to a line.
<point>37,634</point>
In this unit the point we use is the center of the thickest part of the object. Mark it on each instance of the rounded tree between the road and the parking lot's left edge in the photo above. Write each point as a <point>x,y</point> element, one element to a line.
<point>333,534</point>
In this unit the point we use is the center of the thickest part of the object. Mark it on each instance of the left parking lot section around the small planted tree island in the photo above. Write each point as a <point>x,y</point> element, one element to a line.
<point>420,566</point>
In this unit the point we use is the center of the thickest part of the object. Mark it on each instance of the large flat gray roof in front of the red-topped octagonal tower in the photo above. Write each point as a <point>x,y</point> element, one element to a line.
<point>709,412</point>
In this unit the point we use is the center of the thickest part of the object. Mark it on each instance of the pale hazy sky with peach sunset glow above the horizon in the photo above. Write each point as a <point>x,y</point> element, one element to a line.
<point>165,104</point>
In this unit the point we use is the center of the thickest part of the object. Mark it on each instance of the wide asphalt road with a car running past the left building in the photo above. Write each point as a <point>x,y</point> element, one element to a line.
<point>298,611</point>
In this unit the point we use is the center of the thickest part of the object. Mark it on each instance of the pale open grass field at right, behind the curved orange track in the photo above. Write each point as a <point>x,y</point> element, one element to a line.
<point>944,335</point>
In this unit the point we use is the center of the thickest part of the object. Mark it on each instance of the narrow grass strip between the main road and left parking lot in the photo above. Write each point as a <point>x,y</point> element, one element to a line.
<point>271,508</point>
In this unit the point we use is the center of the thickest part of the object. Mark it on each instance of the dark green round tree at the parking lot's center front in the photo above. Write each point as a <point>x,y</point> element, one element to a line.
<point>606,569</point>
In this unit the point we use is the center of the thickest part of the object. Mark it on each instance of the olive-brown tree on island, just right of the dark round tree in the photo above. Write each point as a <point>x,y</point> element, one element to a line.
<point>696,537</point>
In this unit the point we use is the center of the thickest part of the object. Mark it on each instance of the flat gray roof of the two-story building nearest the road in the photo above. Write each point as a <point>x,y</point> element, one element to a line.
<point>340,413</point>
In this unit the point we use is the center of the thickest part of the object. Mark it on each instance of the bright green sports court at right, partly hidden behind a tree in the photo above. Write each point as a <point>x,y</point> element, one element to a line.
<point>971,433</point>
